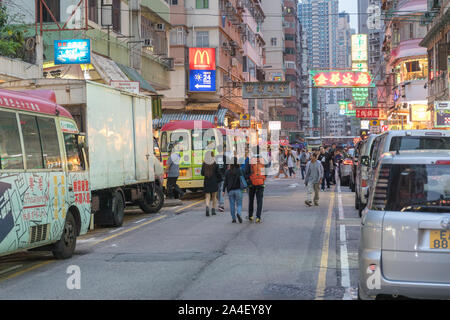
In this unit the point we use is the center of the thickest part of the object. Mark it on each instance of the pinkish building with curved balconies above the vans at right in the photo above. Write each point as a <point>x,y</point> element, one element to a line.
<point>406,65</point>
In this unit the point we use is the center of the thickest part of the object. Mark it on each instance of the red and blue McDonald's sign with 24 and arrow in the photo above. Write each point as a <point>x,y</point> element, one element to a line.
<point>202,69</point>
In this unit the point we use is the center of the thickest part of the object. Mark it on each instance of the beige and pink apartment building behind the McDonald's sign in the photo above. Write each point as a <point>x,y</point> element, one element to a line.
<point>233,30</point>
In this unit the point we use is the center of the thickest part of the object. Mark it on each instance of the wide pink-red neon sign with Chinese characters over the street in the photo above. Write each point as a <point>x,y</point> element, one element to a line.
<point>341,79</point>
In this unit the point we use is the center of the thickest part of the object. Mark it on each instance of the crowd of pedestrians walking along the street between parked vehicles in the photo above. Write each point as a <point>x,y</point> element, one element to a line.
<point>317,169</point>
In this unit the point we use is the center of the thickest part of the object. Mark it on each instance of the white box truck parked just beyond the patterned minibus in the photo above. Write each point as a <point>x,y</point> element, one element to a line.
<point>118,144</point>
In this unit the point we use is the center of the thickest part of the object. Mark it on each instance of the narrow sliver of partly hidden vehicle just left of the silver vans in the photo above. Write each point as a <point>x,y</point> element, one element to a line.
<point>362,173</point>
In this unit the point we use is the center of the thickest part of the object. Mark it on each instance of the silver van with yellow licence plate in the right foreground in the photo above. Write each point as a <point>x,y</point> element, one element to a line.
<point>405,229</point>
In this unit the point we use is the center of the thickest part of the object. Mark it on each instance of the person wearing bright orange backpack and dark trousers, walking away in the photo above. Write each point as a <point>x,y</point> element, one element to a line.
<point>256,175</point>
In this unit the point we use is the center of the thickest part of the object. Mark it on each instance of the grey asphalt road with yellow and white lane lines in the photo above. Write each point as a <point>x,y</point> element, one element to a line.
<point>296,252</point>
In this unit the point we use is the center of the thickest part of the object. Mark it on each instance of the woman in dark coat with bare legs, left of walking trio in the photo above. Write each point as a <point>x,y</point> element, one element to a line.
<point>211,172</point>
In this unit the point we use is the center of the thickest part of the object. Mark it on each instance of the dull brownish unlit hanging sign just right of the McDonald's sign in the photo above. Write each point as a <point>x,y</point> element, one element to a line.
<point>266,90</point>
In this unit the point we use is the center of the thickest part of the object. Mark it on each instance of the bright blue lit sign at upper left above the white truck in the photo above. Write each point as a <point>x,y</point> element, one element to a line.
<point>73,51</point>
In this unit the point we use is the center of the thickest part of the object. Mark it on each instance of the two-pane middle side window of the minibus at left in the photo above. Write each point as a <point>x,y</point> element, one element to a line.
<point>41,142</point>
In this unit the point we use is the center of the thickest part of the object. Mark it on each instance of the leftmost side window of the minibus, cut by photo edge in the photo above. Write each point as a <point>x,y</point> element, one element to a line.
<point>10,147</point>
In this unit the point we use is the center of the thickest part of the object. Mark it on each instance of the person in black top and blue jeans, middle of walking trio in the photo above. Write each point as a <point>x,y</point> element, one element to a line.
<point>234,186</point>
